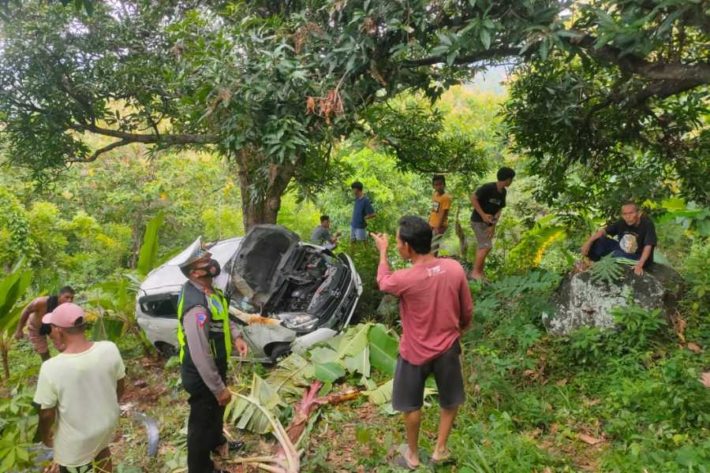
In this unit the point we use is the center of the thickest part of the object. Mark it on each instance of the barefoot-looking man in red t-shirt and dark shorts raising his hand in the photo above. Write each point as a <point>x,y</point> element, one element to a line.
<point>435,307</point>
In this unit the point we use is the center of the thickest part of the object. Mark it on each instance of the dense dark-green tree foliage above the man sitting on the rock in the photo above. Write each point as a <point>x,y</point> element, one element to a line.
<point>625,110</point>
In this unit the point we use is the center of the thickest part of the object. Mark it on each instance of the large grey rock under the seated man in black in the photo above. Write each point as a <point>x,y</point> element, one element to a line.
<point>580,302</point>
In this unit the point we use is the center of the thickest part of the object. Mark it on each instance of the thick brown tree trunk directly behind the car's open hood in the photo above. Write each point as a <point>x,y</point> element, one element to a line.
<point>261,191</point>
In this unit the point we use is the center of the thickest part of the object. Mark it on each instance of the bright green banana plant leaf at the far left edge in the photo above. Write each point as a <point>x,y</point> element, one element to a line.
<point>12,289</point>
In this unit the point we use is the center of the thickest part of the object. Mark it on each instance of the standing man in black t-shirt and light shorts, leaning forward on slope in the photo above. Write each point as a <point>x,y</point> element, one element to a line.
<point>488,202</point>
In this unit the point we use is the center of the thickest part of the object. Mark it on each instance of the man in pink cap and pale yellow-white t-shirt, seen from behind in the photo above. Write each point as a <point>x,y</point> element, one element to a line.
<point>78,390</point>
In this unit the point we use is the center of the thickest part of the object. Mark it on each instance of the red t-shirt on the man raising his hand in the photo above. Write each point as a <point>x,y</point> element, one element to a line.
<point>435,306</point>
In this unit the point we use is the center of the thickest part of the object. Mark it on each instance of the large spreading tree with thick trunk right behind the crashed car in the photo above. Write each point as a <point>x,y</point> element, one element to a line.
<point>274,85</point>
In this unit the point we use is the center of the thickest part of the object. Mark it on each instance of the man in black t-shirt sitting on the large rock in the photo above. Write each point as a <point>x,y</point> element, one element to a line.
<point>637,238</point>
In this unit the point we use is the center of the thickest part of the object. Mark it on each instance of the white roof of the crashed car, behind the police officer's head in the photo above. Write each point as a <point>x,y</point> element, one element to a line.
<point>169,278</point>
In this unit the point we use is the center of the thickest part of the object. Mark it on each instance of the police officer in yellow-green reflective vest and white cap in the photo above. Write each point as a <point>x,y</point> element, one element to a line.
<point>205,339</point>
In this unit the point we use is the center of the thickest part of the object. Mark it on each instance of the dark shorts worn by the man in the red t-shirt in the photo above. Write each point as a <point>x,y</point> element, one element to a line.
<point>409,379</point>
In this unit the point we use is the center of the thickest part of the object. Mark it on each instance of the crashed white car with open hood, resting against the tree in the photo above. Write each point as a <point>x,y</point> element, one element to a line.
<point>286,294</point>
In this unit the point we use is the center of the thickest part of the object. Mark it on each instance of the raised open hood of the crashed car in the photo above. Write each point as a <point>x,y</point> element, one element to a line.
<point>262,252</point>
